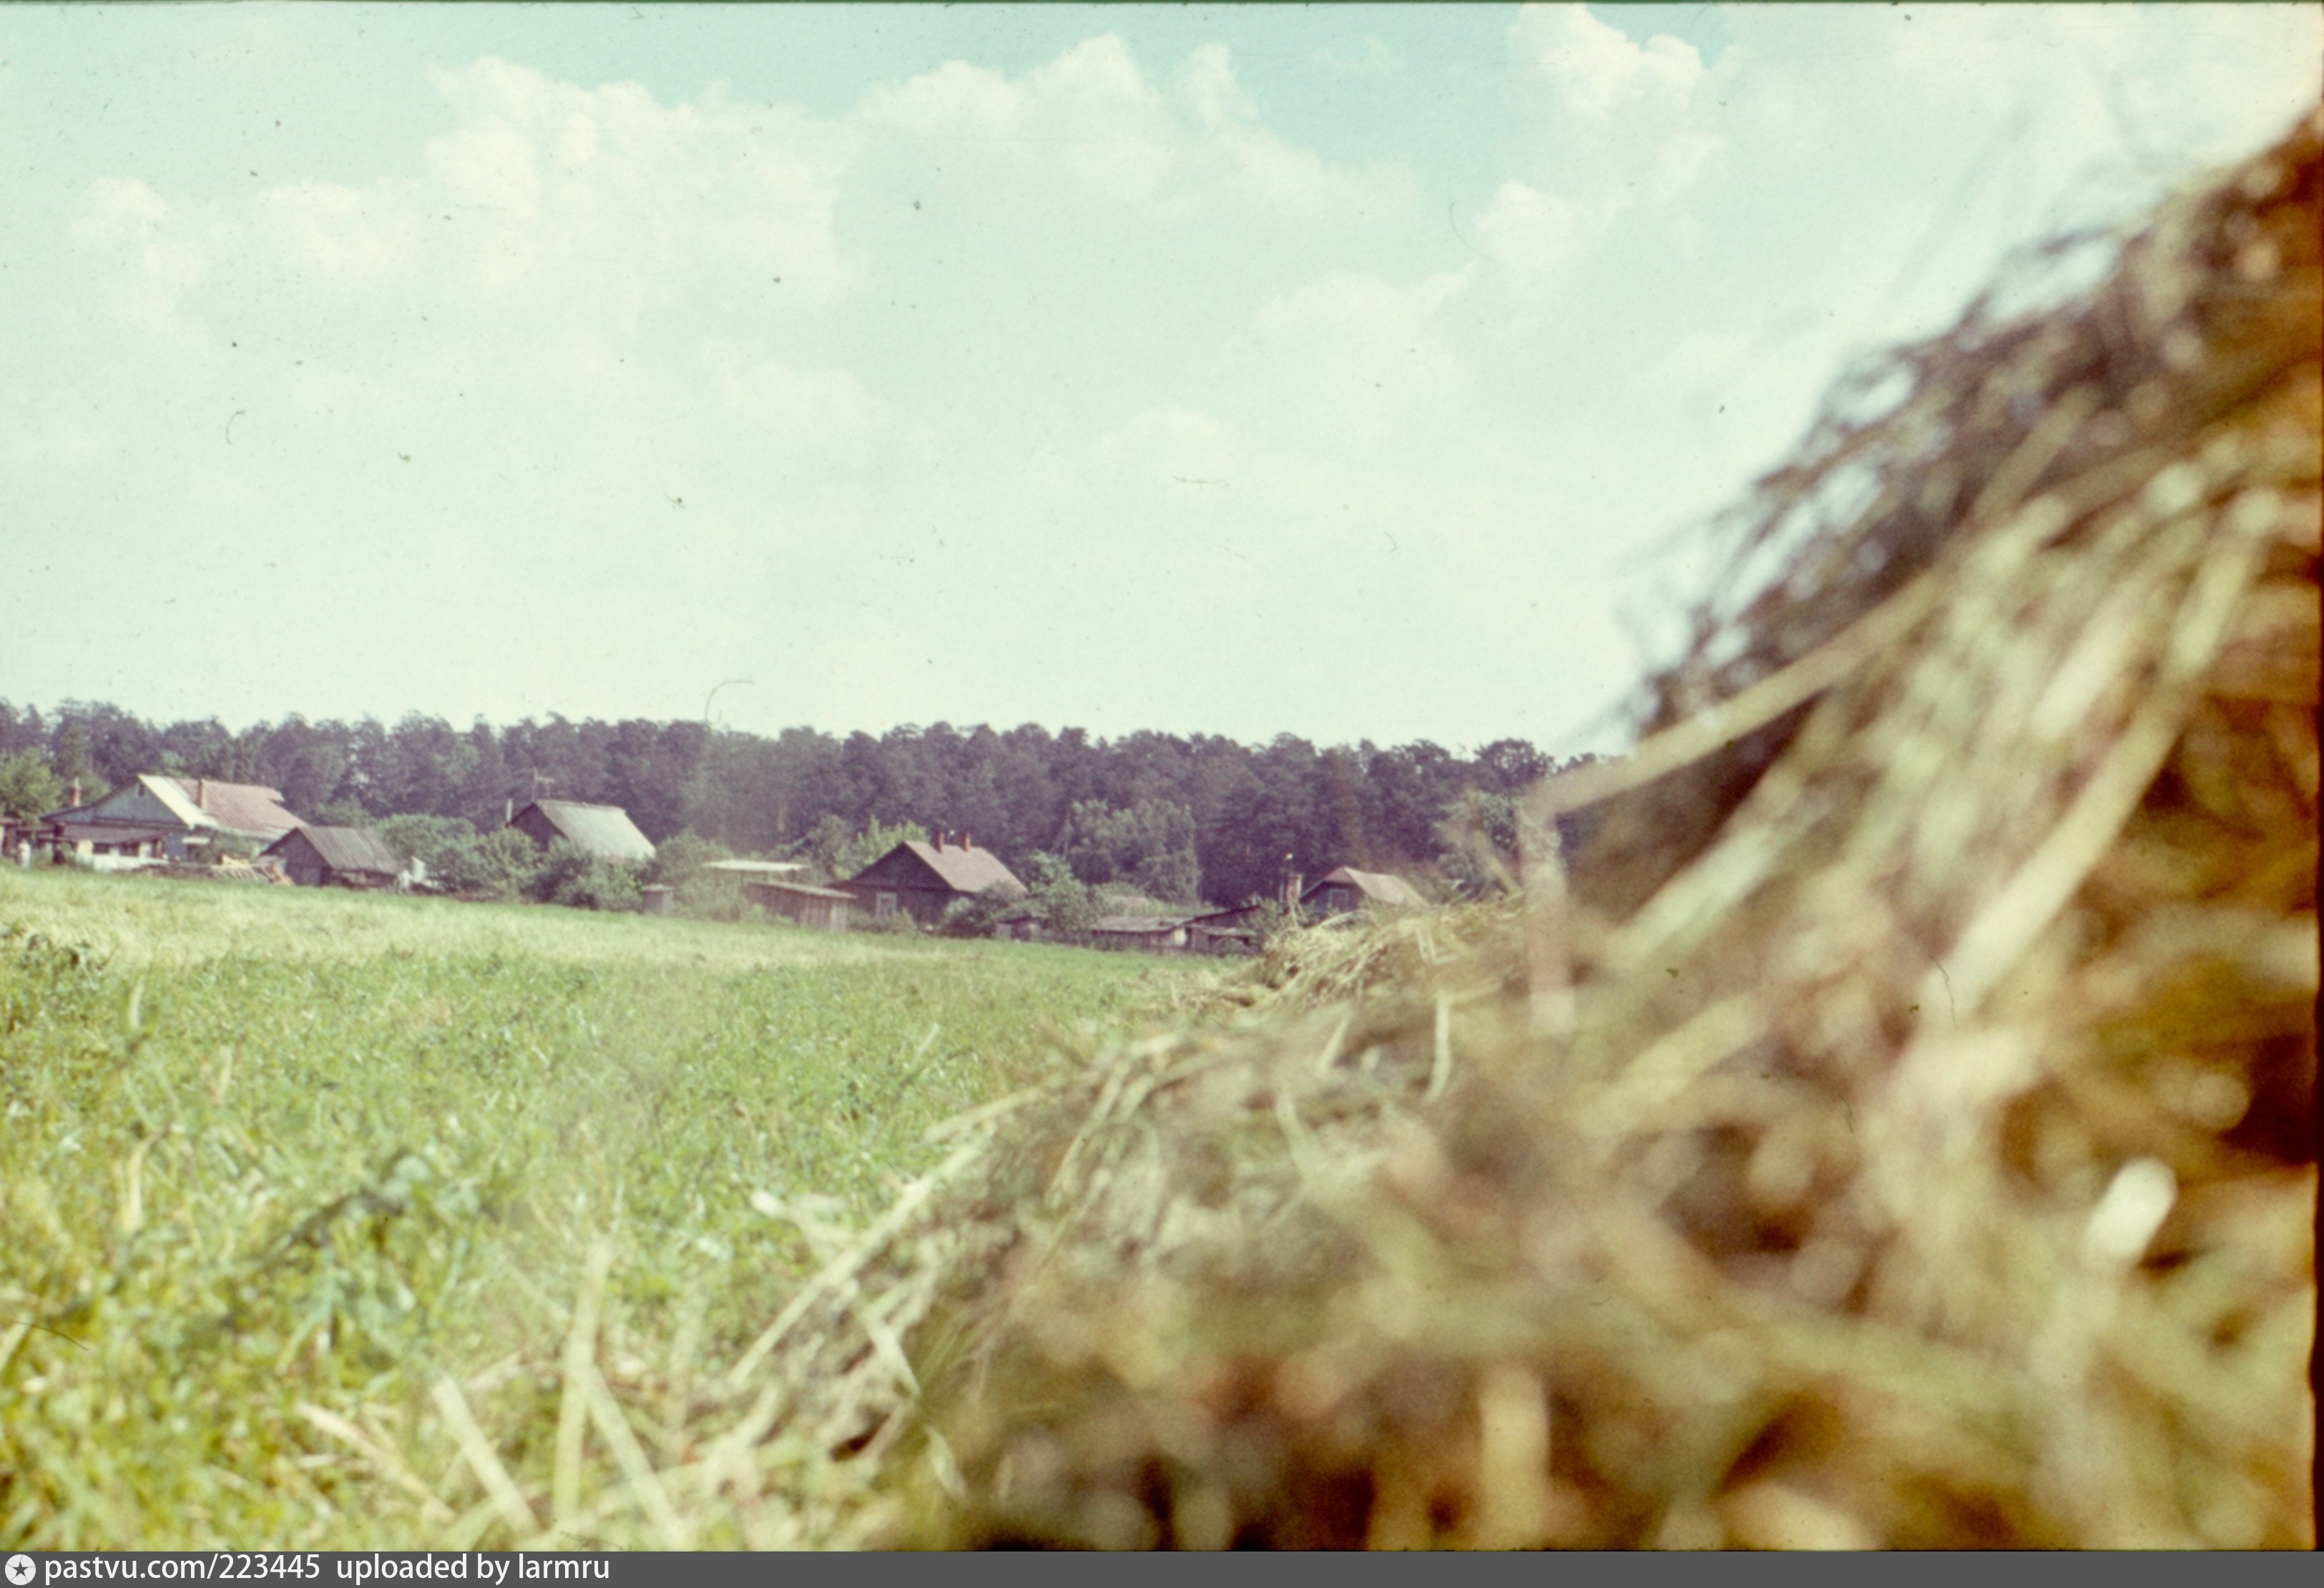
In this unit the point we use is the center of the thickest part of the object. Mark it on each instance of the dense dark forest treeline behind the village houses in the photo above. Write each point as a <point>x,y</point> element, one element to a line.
<point>1179,817</point>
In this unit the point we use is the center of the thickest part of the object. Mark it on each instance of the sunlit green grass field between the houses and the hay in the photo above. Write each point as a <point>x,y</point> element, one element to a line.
<point>275,1164</point>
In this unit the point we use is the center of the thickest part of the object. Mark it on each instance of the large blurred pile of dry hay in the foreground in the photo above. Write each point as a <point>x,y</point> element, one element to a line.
<point>1902,1131</point>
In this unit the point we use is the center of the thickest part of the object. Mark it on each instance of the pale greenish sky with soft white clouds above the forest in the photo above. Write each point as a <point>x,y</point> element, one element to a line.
<point>1358,373</point>
